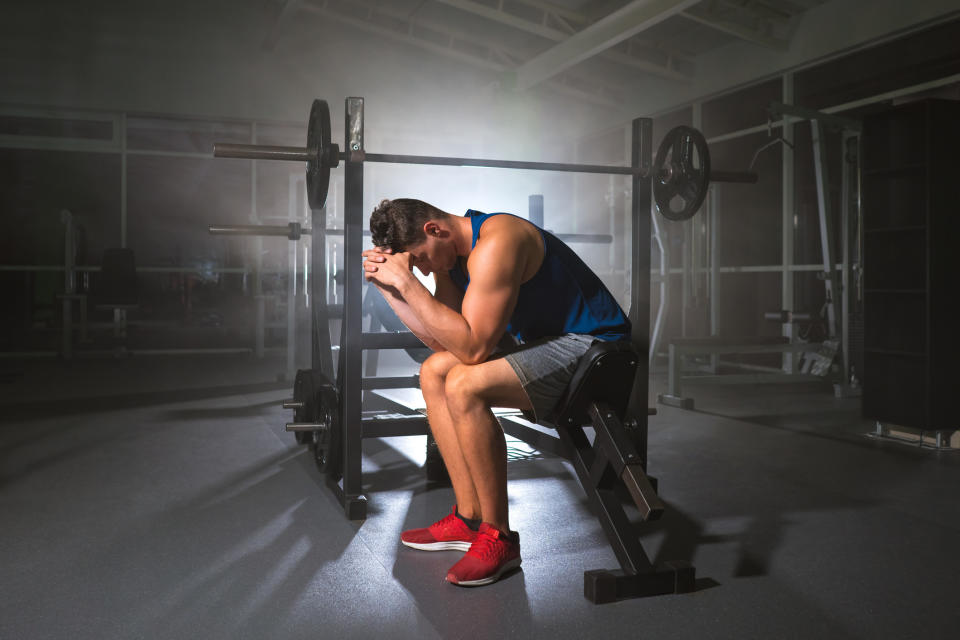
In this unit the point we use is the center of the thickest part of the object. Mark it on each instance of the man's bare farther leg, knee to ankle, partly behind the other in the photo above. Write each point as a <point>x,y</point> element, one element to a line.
<point>433,374</point>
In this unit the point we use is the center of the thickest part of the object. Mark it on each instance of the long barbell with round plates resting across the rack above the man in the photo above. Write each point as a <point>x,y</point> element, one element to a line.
<point>681,169</point>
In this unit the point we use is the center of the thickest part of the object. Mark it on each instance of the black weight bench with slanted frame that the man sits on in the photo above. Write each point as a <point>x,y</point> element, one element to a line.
<point>597,395</point>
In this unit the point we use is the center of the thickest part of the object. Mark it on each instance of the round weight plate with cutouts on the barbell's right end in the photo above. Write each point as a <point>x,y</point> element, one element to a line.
<point>681,173</point>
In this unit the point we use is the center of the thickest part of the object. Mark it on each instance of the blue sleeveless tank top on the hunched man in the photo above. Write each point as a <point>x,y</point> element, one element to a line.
<point>563,296</point>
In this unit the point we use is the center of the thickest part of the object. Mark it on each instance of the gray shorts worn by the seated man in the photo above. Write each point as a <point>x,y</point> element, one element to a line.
<point>545,367</point>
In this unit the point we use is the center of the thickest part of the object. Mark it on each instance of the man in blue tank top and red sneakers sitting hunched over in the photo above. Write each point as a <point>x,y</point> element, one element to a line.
<point>496,275</point>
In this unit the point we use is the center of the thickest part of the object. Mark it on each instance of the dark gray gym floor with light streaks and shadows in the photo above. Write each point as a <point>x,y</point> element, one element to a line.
<point>160,498</point>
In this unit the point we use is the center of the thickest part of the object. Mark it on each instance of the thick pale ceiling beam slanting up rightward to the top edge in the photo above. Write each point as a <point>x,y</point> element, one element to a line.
<point>616,27</point>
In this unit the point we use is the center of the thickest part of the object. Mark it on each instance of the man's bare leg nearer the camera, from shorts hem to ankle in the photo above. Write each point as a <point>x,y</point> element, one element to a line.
<point>471,391</point>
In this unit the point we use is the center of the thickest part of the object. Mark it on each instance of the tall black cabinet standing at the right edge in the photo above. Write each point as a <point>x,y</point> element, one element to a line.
<point>910,190</point>
